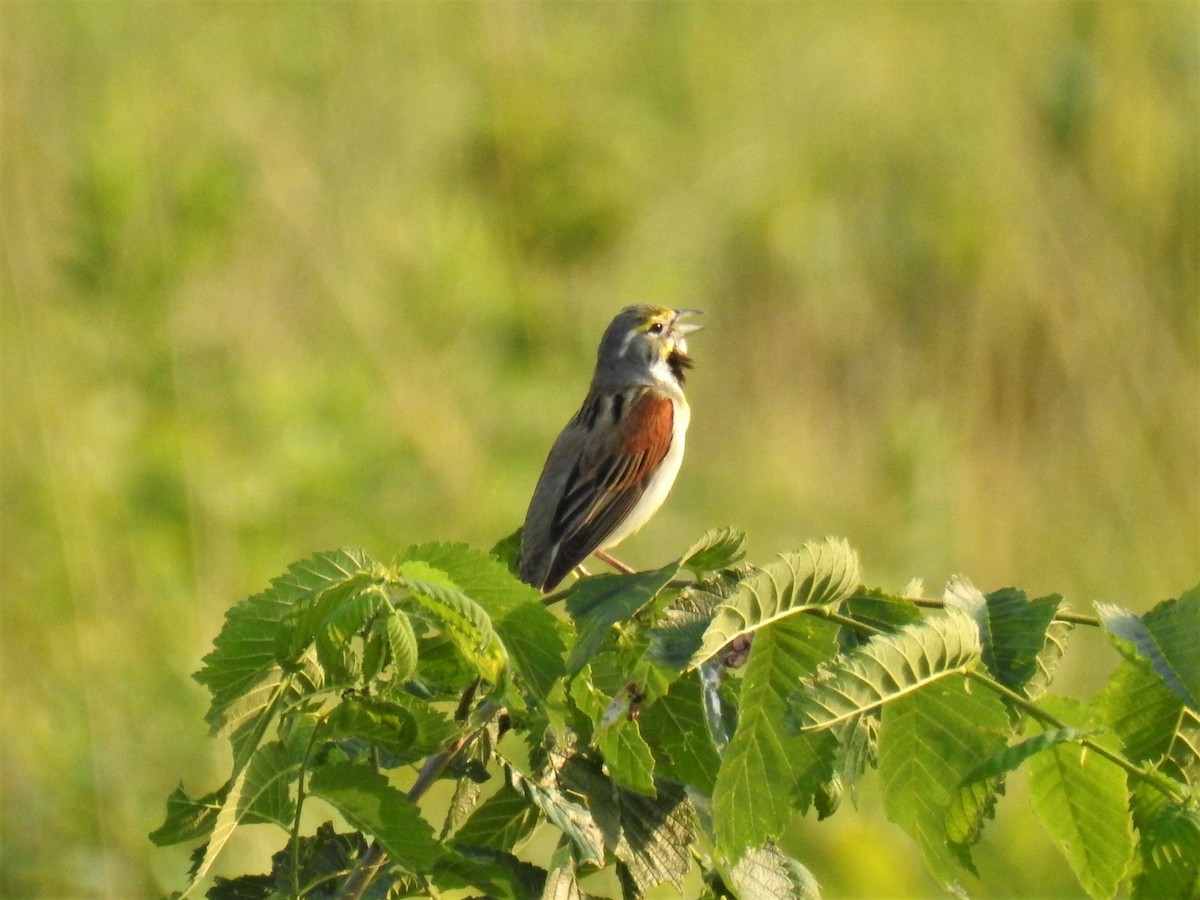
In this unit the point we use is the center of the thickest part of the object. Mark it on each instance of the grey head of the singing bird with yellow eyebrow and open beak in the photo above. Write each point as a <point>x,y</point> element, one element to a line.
<point>646,344</point>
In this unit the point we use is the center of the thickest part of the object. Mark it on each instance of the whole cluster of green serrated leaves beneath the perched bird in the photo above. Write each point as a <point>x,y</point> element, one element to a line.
<point>669,725</point>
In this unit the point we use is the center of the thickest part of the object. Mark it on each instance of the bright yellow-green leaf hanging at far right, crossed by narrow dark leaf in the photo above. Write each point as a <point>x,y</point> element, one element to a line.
<point>1082,802</point>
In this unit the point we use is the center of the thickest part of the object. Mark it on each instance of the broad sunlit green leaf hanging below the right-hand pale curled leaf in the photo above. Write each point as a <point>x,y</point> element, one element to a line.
<point>929,741</point>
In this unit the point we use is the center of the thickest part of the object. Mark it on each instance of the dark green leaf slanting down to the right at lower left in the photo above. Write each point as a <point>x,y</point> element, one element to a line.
<point>369,803</point>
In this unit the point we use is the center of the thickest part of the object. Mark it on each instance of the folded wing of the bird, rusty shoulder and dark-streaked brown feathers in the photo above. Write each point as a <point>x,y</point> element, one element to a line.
<point>610,476</point>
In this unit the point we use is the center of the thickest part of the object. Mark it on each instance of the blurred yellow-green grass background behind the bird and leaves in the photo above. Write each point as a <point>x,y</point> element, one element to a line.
<point>280,278</point>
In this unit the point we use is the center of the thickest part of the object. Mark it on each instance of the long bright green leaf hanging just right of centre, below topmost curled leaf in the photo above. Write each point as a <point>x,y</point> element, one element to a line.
<point>767,771</point>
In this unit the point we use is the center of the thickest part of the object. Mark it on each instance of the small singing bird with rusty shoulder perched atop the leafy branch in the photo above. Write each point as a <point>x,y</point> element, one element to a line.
<point>615,463</point>
